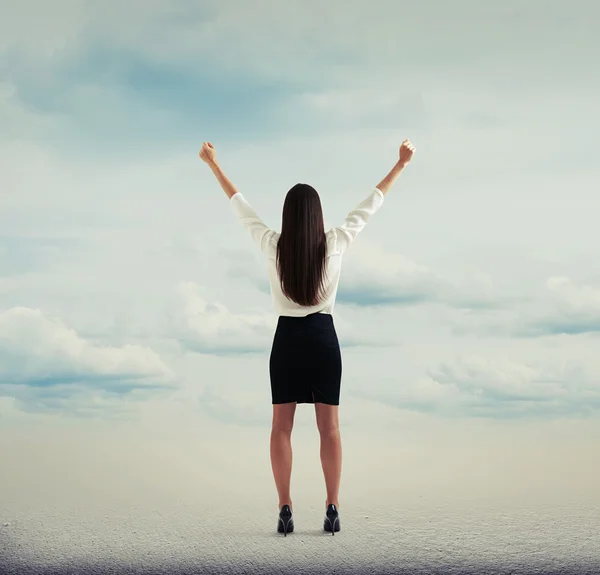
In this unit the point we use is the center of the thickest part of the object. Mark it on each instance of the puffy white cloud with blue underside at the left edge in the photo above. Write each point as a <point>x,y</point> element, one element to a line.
<point>45,364</point>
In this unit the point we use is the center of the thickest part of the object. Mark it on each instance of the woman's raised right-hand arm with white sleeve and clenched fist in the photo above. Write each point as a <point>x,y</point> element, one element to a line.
<point>357,219</point>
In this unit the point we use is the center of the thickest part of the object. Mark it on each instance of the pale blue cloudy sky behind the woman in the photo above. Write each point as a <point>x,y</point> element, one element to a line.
<point>130,295</point>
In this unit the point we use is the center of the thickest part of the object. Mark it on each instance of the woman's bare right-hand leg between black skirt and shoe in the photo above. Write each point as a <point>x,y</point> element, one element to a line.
<point>331,449</point>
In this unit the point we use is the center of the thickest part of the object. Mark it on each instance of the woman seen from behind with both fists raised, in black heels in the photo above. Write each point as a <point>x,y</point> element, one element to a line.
<point>305,363</point>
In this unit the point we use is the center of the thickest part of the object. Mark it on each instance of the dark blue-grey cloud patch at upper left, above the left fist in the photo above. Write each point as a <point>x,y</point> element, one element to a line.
<point>108,92</point>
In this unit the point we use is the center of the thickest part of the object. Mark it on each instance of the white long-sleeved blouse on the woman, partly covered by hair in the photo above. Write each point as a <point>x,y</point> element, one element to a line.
<point>338,240</point>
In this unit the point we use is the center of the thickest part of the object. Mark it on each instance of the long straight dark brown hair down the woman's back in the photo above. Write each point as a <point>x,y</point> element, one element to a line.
<point>302,247</point>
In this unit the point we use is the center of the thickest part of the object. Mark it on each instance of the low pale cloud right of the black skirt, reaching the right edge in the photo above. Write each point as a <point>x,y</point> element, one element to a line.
<point>481,387</point>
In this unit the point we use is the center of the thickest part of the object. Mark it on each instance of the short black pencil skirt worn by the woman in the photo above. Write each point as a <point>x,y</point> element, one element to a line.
<point>305,365</point>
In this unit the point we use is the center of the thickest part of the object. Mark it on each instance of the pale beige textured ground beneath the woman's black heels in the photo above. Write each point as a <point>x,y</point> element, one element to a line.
<point>86,507</point>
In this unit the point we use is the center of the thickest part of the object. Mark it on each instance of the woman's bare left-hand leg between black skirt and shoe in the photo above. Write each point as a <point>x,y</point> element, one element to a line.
<point>281,450</point>
